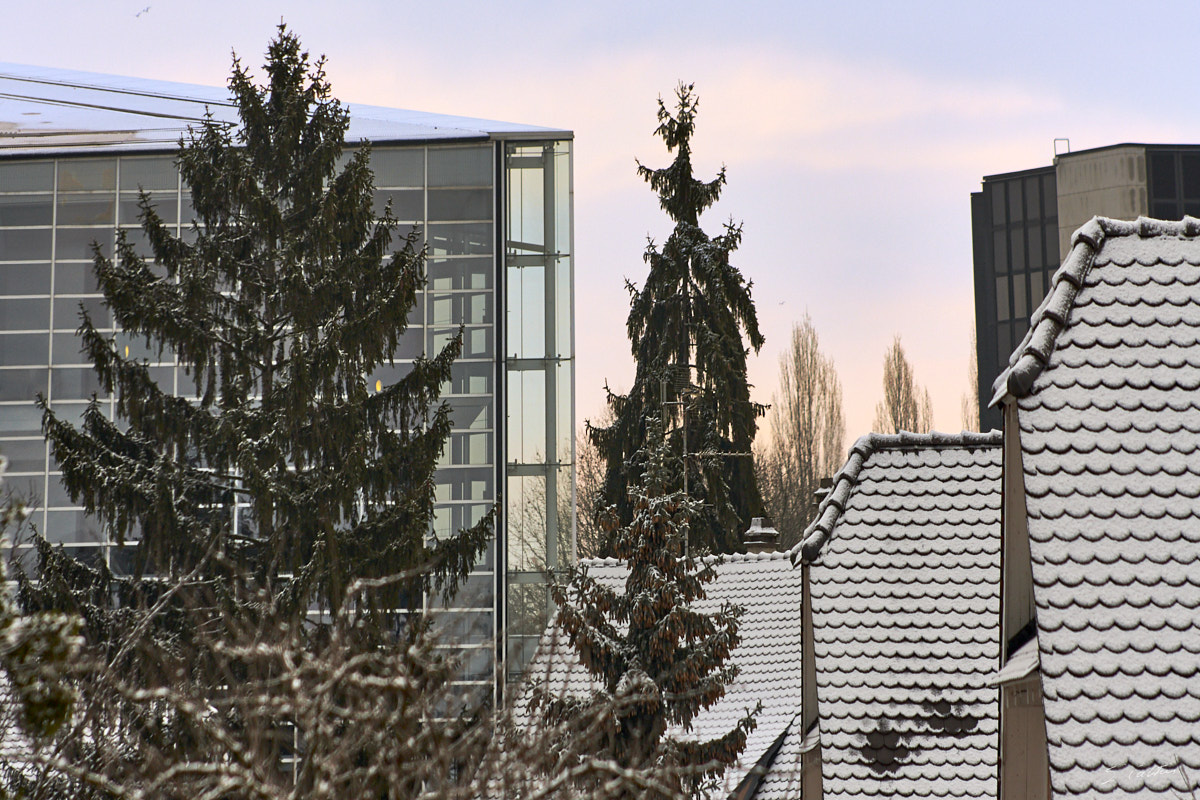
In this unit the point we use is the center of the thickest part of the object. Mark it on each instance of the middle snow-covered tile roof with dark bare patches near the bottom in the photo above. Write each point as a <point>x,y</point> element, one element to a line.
<point>905,598</point>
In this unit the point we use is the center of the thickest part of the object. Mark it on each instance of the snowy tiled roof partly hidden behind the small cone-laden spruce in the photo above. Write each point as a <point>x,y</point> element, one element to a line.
<point>770,591</point>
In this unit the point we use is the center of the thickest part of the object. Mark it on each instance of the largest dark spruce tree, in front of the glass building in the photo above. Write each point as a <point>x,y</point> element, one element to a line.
<point>283,302</point>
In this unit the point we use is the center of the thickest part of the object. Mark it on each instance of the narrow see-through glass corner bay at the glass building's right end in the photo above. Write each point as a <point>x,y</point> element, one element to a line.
<point>541,382</point>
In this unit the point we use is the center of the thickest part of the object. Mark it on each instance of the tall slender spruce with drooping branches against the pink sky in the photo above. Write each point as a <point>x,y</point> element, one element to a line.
<point>686,328</point>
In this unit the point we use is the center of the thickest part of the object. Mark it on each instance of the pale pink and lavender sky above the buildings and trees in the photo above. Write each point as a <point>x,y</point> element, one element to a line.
<point>853,133</point>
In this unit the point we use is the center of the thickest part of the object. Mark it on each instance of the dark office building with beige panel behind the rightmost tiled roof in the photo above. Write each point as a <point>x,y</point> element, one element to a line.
<point>1022,226</point>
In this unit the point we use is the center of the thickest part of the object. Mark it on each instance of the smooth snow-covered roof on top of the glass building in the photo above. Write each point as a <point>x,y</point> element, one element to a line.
<point>44,110</point>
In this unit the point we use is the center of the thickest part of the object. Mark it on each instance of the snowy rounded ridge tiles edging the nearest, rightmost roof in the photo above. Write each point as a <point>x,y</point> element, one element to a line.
<point>1051,318</point>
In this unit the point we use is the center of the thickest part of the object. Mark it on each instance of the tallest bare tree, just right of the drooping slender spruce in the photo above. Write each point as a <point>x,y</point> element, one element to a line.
<point>807,434</point>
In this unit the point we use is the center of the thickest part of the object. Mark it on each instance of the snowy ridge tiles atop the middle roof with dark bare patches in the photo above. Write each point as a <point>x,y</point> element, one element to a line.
<point>847,479</point>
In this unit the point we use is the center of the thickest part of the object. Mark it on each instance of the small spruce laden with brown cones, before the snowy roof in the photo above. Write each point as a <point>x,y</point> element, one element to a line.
<point>657,659</point>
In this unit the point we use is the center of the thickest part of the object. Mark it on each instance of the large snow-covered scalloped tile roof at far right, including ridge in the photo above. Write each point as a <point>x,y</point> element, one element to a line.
<point>1107,392</point>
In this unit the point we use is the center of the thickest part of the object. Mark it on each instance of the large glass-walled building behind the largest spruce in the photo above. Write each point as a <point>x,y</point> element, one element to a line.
<point>495,209</point>
